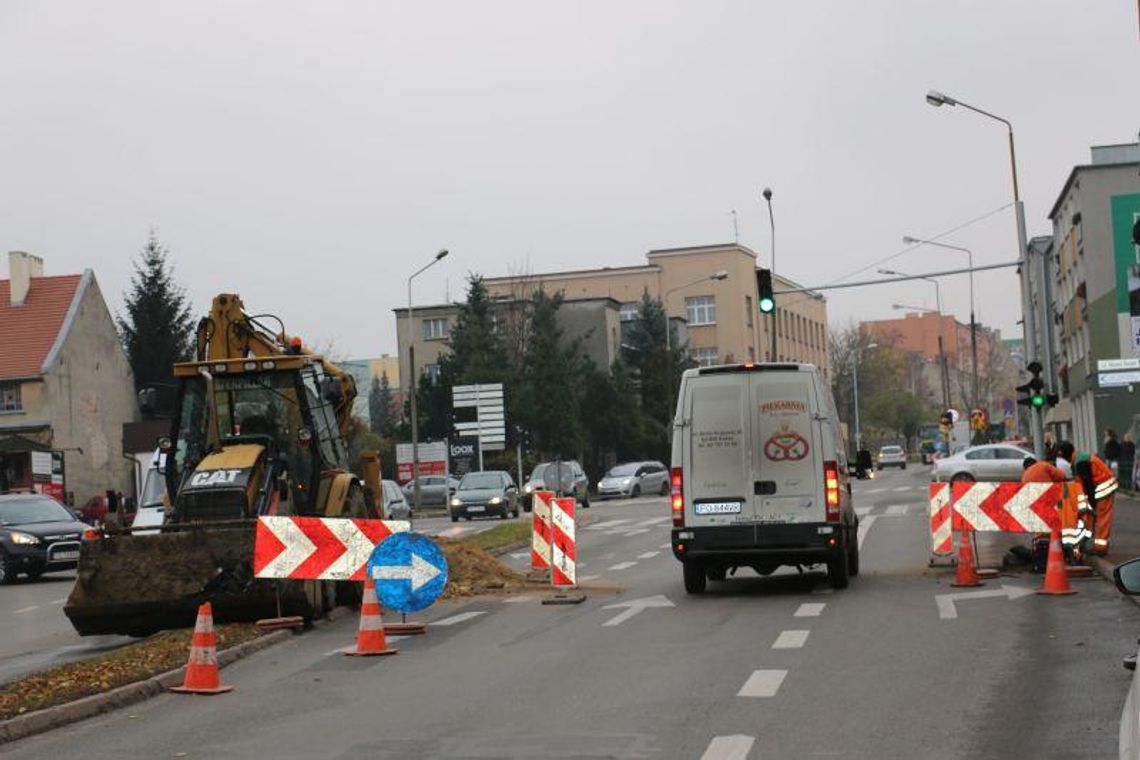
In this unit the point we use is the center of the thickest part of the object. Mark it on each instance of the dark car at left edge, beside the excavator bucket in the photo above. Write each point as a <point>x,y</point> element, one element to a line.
<point>38,535</point>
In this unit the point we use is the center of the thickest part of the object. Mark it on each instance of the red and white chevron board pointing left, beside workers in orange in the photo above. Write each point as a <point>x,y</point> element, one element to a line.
<point>1006,508</point>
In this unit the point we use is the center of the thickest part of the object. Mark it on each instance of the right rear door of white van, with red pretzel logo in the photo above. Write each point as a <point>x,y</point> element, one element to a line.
<point>788,455</point>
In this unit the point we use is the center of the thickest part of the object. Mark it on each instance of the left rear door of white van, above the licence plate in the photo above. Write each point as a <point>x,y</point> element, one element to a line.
<point>718,451</point>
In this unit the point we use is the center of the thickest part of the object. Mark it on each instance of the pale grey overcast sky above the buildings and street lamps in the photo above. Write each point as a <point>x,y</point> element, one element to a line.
<point>311,157</point>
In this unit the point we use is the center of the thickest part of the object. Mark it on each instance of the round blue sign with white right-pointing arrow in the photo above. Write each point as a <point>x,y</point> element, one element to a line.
<point>410,571</point>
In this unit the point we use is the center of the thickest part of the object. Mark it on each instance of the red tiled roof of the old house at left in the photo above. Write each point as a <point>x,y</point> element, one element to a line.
<point>29,332</point>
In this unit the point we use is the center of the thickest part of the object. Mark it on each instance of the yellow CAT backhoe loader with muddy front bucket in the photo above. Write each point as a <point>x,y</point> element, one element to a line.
<point>259,429</point>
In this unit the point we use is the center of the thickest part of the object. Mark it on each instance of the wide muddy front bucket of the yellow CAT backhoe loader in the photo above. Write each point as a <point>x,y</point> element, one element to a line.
<point>140,585</point>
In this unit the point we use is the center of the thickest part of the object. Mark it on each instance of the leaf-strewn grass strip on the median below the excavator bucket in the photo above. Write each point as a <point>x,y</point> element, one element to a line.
<point>128,665</point>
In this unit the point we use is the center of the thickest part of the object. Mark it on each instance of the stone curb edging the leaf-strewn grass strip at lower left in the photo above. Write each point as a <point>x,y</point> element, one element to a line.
<point>70,713</point>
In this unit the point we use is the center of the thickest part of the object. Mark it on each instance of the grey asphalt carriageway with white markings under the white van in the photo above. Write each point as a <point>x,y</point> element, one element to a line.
<point>777,667</point>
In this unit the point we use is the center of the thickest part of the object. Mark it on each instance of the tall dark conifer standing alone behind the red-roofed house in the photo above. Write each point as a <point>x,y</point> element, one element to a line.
<point>158,330</point>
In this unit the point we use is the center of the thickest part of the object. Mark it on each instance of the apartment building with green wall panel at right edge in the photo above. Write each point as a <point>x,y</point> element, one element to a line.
<point>1092,297</point>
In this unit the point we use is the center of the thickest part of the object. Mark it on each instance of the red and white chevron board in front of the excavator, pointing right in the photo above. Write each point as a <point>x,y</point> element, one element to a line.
<point>319,549</point>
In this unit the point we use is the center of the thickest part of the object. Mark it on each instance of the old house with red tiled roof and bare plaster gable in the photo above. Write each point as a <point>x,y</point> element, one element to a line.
<point>66,386</point>
